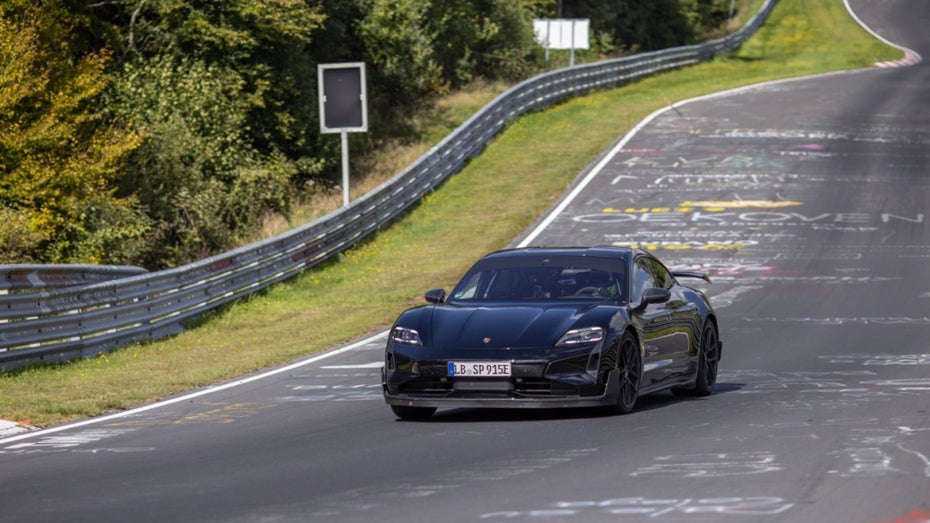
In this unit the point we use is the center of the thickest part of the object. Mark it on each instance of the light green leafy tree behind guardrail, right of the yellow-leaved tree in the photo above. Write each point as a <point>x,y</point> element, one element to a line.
<point>196,171</point>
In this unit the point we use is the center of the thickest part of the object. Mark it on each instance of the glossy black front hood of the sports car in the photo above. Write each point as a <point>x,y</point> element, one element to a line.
<point>499,327</point>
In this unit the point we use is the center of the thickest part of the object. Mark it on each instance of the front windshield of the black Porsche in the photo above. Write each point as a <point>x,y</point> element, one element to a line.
<point>540,282</point>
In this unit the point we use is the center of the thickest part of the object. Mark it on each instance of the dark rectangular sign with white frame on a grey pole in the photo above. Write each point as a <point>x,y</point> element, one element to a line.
<point>343,107</point>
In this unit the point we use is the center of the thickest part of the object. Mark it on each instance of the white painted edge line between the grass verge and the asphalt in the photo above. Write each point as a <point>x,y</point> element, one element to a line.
<point>526,241</point>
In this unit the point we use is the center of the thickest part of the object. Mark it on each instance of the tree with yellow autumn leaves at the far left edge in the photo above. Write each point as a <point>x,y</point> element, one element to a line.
<point>59,159</point>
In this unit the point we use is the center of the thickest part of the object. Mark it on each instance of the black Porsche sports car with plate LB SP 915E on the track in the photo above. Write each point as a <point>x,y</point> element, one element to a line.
<point>553,327</point>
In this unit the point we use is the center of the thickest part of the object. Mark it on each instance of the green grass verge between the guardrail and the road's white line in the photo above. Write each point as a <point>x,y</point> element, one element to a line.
<point>495,198</point>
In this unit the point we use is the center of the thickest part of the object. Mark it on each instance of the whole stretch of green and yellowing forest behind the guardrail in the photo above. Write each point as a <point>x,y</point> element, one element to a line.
<point>159,132</point>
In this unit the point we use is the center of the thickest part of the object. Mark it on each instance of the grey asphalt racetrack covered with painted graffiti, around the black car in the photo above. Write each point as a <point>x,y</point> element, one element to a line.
<point>807,200</point>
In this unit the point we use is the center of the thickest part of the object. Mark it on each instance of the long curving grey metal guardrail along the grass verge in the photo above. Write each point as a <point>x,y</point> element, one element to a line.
<point>61,324</point>
